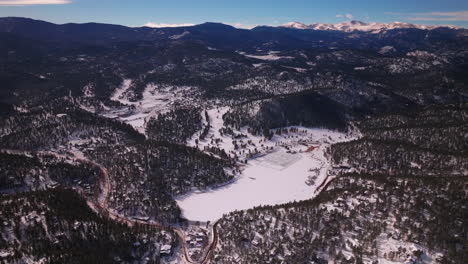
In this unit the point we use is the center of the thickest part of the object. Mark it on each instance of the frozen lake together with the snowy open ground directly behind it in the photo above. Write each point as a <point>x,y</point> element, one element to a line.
<point>286,169</point>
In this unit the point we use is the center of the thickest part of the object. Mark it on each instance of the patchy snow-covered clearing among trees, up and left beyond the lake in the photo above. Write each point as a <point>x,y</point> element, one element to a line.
<point>156,99</point>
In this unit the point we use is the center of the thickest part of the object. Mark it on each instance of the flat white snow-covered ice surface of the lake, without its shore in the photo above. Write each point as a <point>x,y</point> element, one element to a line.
<point>261,183</point>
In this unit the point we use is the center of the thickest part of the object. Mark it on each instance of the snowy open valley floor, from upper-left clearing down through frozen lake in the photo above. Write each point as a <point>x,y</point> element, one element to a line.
<point>287,167</point>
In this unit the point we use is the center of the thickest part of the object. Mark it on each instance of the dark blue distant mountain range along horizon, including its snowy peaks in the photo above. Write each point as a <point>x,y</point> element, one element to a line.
<point>223,35</point>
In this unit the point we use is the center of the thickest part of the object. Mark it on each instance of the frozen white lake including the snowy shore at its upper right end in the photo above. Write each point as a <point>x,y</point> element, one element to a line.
<point>275,178</point>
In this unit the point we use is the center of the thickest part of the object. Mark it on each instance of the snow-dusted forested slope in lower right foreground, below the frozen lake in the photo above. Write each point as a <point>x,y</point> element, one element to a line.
<point>357,219</point>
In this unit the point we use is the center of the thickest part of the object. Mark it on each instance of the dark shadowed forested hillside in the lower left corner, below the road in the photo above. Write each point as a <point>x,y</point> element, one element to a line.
<point>57,226</point>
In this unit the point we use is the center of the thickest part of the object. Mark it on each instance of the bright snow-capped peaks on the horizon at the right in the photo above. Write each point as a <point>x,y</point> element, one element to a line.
<point>355,25</point>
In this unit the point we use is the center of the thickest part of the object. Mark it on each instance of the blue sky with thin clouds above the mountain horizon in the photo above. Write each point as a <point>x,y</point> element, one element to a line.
<point>240,13</point>
